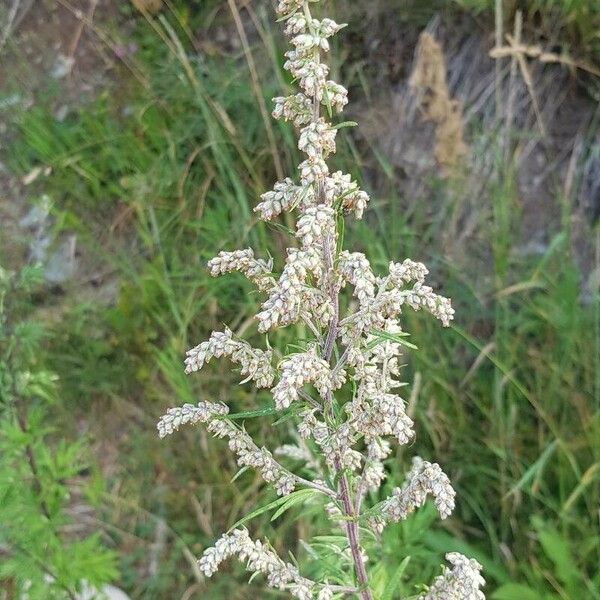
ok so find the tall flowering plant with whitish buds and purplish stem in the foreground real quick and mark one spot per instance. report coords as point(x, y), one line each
point(354, 346)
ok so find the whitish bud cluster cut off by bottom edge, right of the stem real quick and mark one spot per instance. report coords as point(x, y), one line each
point(460, 582)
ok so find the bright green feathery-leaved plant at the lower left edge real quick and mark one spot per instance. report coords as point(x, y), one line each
point(36, 465)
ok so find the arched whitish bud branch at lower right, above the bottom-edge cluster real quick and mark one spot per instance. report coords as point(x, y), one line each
point(423, 479)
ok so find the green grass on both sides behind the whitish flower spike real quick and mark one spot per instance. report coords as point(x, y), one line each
point(507, 399)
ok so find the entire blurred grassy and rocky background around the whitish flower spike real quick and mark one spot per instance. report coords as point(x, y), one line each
point(136, 140)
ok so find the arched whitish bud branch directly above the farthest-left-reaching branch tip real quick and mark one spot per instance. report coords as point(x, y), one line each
point(255, 363)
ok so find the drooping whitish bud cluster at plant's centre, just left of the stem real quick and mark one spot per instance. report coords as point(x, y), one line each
point(297, 371)
